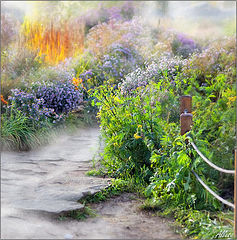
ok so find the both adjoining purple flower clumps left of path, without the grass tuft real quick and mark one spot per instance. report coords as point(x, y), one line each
point(50, 101)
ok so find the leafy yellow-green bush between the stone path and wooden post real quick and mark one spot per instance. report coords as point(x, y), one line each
point(130, 125)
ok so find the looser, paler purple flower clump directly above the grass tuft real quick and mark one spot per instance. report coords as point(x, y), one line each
point(32, 107)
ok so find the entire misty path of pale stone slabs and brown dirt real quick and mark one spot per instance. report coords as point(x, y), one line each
point(37, 186)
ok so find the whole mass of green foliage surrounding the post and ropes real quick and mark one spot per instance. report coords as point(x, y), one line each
point(142, 139)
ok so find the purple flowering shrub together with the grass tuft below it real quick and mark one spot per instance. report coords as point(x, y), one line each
point(33, 111)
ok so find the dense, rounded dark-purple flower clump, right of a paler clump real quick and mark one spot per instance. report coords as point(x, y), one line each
point(62, 97)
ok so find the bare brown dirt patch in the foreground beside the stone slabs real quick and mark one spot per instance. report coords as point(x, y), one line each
point(120, 218)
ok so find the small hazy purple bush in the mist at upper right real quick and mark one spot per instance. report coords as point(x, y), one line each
point(184, 46)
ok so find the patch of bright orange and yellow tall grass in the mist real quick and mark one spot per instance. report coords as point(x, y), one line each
point(55, 42)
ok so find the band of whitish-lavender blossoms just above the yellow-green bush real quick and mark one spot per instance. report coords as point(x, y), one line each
point(165, 66)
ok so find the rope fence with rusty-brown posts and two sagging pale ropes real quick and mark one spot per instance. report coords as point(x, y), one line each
point(186, 122)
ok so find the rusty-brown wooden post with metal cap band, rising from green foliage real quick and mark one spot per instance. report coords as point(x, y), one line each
point(185, 114)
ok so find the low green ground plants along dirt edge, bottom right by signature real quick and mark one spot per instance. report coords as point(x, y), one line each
point(194, 224)
